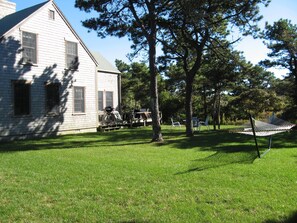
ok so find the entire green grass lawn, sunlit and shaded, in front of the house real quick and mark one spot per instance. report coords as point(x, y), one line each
point(120, 177)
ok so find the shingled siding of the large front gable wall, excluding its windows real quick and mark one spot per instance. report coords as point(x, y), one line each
point(50, 67)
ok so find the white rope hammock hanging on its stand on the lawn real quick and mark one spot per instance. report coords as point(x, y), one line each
point(260, 128)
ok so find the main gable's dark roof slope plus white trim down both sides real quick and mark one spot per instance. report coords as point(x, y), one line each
point(10, 21)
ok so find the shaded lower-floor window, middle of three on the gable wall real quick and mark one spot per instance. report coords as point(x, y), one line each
point(52, 93)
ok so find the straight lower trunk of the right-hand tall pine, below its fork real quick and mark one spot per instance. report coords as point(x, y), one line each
point(189, 105)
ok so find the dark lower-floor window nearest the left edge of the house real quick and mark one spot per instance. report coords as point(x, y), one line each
point(21, 97)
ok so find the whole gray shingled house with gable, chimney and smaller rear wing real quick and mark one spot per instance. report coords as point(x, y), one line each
point(49, 80)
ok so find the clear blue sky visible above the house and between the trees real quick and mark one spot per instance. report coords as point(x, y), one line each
point(113, 48)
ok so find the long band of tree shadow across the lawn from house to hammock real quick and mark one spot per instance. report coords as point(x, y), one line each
point(220, 142)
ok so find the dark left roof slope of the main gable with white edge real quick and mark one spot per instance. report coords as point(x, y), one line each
point(10, 21)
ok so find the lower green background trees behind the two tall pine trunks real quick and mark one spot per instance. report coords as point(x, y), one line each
point(227, 88)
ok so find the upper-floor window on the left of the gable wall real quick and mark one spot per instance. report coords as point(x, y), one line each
point(29, 47)
